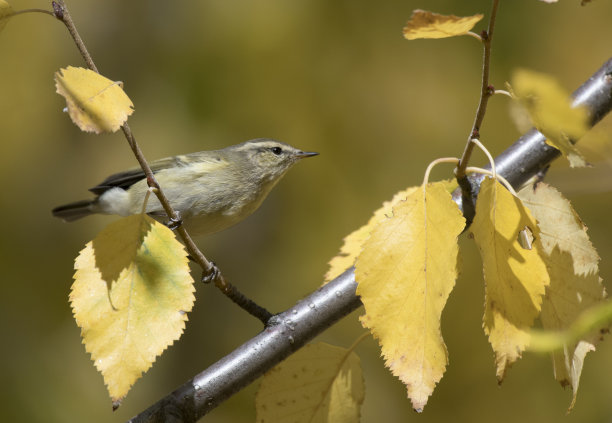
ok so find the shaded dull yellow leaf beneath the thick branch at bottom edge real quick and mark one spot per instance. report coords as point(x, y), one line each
point(319, 383)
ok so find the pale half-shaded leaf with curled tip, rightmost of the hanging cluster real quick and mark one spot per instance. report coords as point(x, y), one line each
point(575, 285)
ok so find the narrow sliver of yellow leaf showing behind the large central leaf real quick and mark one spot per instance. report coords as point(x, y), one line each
point(354, 241)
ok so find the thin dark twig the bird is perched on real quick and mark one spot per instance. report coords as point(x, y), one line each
point(60, 11)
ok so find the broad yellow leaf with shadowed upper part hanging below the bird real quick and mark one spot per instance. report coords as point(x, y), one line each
point(126, 323)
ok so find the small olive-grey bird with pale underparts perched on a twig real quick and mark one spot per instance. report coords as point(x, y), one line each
point(212, 190)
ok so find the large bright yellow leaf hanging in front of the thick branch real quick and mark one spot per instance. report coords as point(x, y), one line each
point(404, 275)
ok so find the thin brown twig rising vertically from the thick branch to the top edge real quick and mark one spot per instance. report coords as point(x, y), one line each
point(485, 92)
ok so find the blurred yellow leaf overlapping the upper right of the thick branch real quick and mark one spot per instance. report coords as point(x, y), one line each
point(551, 111)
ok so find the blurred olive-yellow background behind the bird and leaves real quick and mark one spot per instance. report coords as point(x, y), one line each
point(330, 76)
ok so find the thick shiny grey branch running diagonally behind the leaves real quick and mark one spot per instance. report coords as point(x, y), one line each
point(311, 316)
